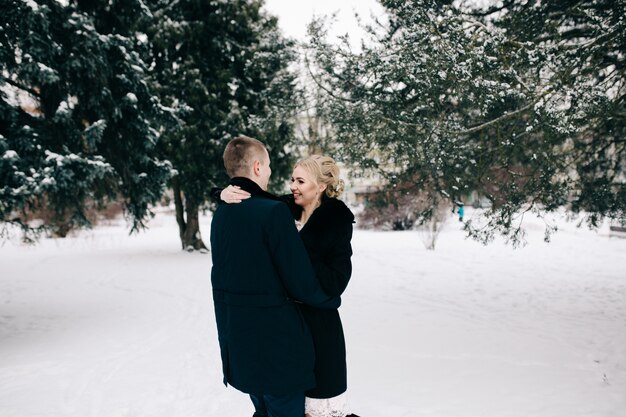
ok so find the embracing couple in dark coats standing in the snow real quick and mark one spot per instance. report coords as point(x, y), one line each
point(280, 265)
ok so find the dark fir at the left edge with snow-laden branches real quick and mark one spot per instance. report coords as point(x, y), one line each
point(76, 116)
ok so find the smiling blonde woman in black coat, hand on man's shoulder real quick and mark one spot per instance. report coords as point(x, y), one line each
point(325, 225)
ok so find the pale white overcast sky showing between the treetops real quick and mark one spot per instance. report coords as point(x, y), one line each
point(294, 15)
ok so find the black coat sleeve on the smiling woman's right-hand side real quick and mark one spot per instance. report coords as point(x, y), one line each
point(335, 268)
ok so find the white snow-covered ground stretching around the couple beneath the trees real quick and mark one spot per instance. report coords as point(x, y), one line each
point(111, 325)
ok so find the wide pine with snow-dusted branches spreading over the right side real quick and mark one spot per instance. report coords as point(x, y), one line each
point(522, 103)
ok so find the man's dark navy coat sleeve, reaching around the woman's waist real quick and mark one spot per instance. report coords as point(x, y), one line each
point(292, 261)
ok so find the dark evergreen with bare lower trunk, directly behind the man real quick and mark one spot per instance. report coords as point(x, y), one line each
point(224, 66)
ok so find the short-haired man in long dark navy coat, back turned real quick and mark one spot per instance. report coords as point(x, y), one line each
point(260, 267)
